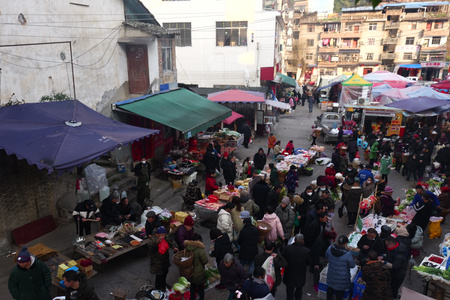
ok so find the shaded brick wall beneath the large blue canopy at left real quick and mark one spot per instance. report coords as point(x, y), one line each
point(27, 193)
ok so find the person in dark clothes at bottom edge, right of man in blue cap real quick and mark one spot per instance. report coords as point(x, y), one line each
point(77, 287)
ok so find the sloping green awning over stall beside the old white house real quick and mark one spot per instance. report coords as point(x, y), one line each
point(180, 109)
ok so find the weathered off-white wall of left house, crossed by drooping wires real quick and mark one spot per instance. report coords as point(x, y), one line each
point(100, 65)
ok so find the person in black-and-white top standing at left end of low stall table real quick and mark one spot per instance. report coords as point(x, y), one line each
point(84, 213)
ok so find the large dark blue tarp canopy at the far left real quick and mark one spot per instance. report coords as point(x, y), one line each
point(61, 135)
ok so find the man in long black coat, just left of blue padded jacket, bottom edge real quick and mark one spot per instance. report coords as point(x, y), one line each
point(297, 257)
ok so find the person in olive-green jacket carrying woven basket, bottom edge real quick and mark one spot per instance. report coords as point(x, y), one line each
point(198, 278)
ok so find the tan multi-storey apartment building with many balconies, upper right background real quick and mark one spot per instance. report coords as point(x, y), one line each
point(408, 38)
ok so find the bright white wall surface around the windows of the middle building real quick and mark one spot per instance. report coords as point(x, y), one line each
point(207, 65)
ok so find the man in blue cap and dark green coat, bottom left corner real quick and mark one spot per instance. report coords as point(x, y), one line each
point(30, 278)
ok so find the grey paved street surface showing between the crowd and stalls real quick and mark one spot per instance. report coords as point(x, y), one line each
point(132, 270)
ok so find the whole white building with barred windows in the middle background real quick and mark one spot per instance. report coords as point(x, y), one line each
point(229, 43)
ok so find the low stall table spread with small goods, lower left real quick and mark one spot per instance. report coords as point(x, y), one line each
point(122, 242)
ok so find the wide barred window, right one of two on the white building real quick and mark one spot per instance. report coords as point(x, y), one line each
point(231, 33)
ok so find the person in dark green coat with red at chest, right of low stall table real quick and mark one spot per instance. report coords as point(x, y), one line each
point(159, 245)
